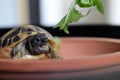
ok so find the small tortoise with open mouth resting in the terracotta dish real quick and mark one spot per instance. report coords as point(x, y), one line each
point(28, 42)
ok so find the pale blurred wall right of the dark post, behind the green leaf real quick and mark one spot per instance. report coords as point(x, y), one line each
point(111, 16)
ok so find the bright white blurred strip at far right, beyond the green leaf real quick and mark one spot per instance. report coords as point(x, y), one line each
point(112, 12)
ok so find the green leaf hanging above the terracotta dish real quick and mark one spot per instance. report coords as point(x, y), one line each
point(74, 15)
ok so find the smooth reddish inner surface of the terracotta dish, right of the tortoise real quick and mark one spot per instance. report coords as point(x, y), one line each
point(84, 47)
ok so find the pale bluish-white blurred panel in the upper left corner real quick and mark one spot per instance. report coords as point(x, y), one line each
point(8, 12)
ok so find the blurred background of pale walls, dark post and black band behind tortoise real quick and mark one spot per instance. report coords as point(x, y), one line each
point(47, 13)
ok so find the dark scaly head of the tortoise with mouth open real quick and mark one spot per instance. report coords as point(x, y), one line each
point(38, 44)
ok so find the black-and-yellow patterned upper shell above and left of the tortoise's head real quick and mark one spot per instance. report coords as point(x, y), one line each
point(16, 35)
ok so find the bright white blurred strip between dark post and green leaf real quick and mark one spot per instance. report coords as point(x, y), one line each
point(51, 12)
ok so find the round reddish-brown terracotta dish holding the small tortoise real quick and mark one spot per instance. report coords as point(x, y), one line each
point(84, 58)
